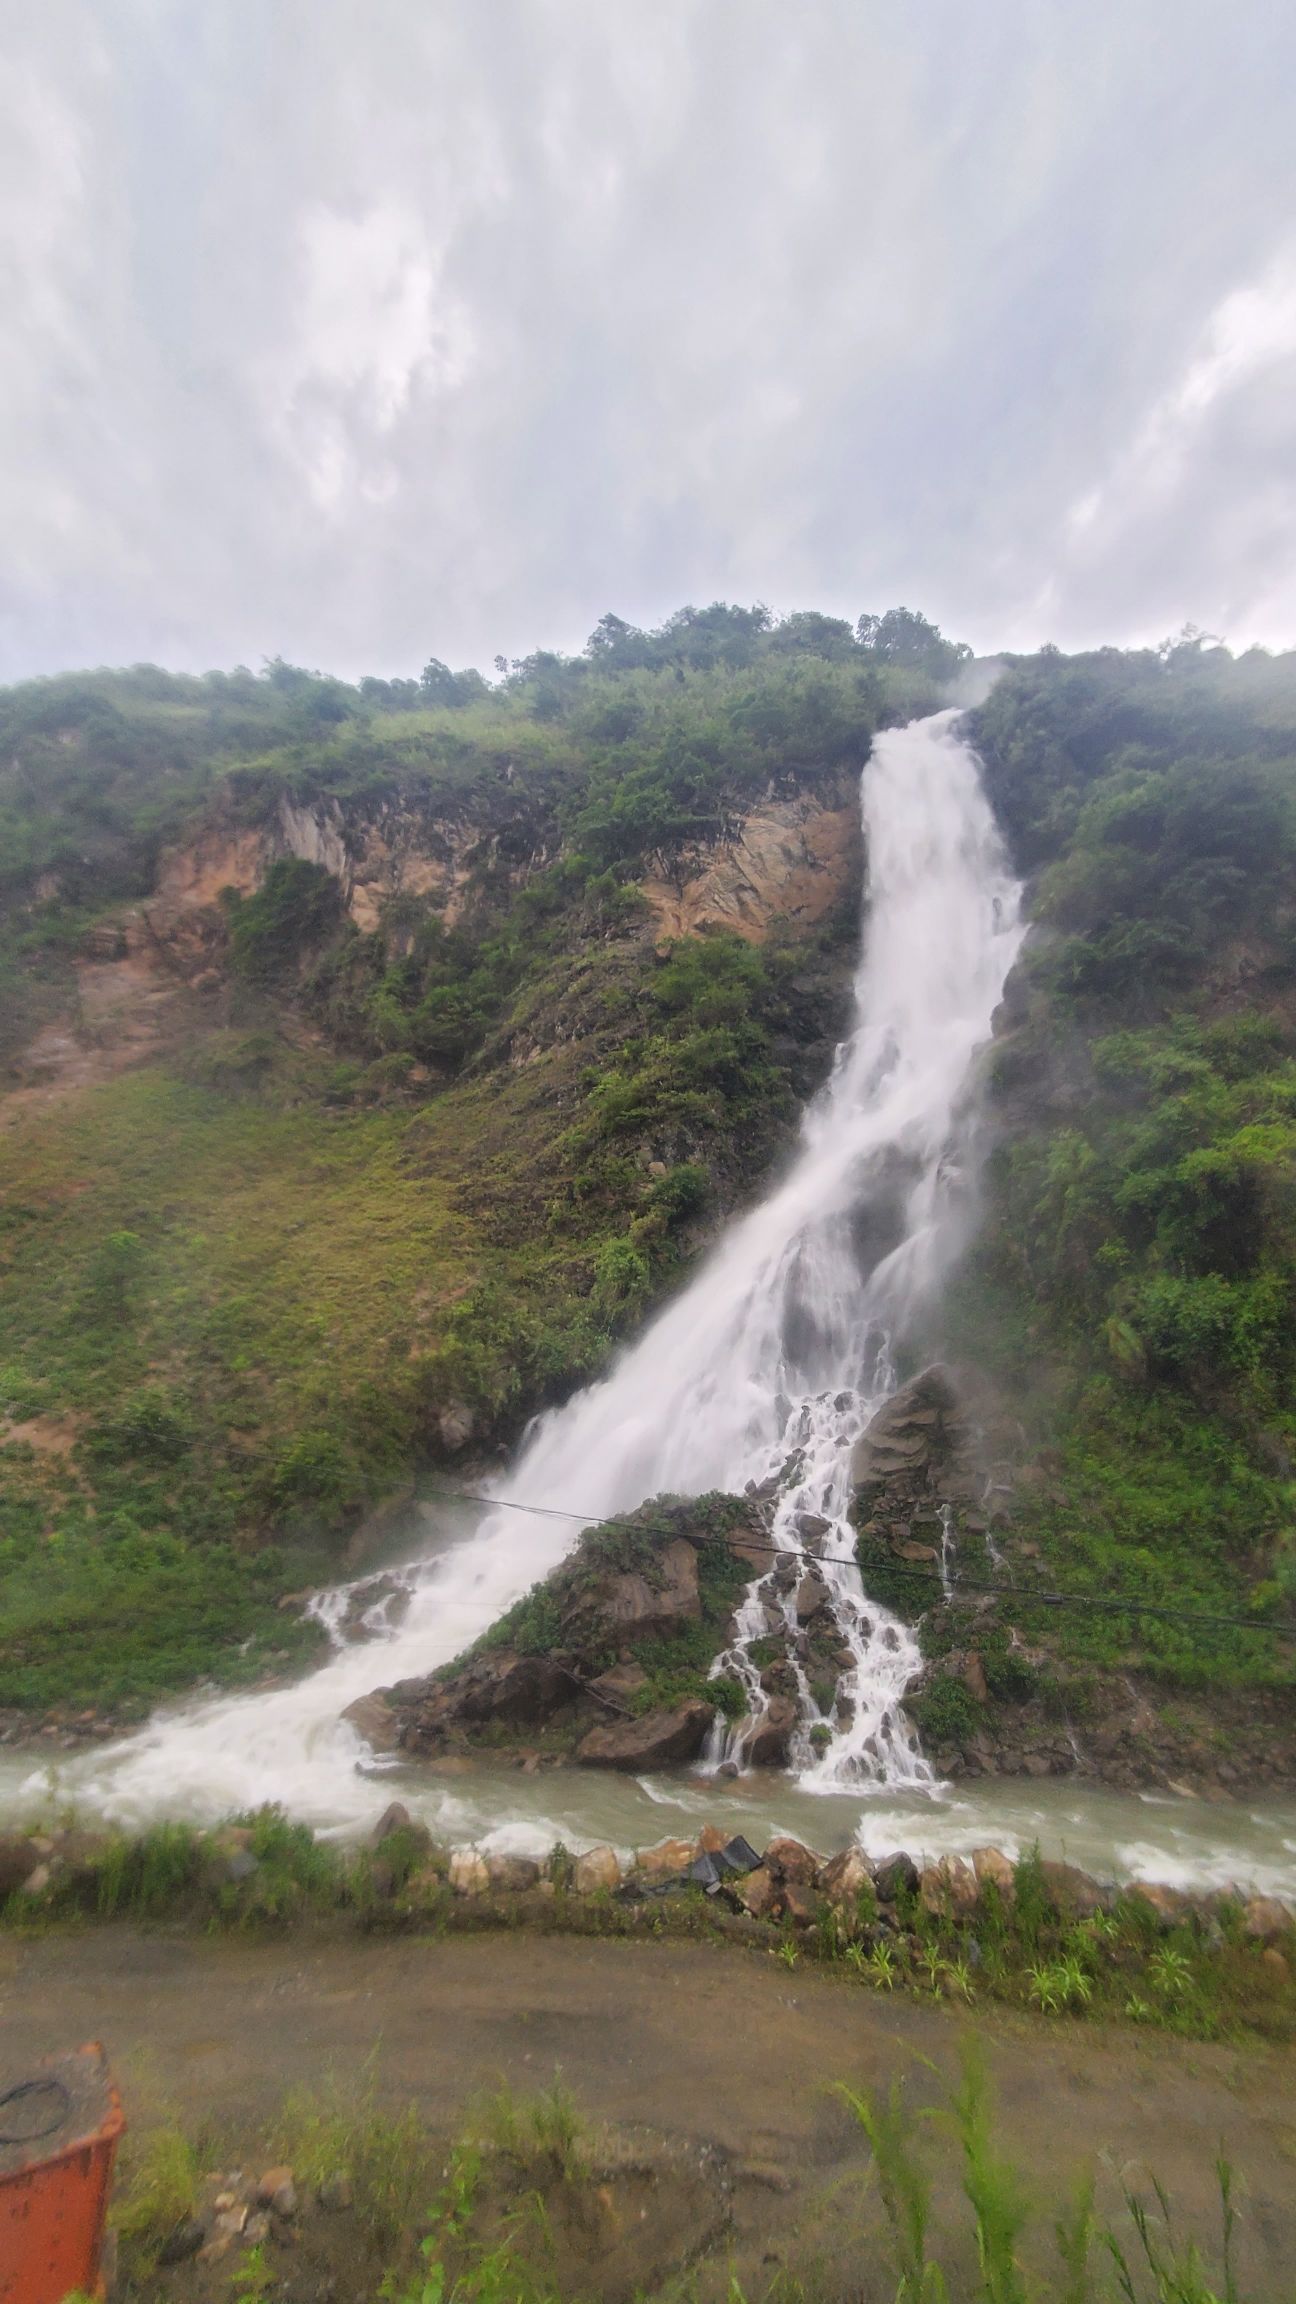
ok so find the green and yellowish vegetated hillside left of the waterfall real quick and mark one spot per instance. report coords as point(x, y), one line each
point(379, 1178)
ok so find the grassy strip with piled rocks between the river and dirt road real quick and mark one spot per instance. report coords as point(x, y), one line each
point(1027, 1932)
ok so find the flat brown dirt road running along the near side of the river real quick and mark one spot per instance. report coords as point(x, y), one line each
point(704, 2045)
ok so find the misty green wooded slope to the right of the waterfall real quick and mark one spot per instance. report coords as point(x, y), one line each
point(1136, 1282)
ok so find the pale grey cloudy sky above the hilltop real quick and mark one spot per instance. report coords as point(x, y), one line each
point(368, 331)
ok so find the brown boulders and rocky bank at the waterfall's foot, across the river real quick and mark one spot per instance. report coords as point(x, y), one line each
point(610, 1662)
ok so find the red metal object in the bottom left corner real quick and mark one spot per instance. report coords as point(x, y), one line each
point(59, 2137)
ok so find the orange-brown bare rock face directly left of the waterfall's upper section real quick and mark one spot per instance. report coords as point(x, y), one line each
point(788, 861)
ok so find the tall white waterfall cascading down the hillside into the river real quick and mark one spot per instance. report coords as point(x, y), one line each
point(764, 1370)
